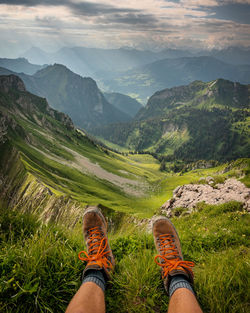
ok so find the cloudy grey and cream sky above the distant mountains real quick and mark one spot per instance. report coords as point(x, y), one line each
point(140, 24)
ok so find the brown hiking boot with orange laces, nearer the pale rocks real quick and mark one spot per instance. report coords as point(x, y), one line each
point(170, 257)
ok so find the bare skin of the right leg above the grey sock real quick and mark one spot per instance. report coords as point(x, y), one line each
point(183, 301)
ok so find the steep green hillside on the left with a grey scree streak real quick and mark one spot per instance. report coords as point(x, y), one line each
point(41, 147)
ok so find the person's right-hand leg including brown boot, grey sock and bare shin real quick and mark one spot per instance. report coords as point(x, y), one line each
point(176, 273)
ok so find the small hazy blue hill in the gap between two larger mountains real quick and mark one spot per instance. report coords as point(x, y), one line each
point(123, 103)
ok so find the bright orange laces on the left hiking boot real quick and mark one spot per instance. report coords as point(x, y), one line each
point(96, 250)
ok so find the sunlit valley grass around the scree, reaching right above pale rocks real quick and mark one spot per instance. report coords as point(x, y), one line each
point(88, 189)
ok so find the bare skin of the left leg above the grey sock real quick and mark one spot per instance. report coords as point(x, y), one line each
point(88, 299)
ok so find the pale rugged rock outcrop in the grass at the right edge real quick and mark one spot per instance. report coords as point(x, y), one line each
point(187, 196)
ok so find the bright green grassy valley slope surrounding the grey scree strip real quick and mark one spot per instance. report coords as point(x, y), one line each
point(88, 189)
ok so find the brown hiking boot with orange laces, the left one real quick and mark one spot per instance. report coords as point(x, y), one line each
point(99, 255)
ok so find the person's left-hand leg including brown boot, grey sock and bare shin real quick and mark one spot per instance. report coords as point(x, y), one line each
point(90, 297)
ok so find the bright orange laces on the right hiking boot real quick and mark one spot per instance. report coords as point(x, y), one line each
point(168, 249)
